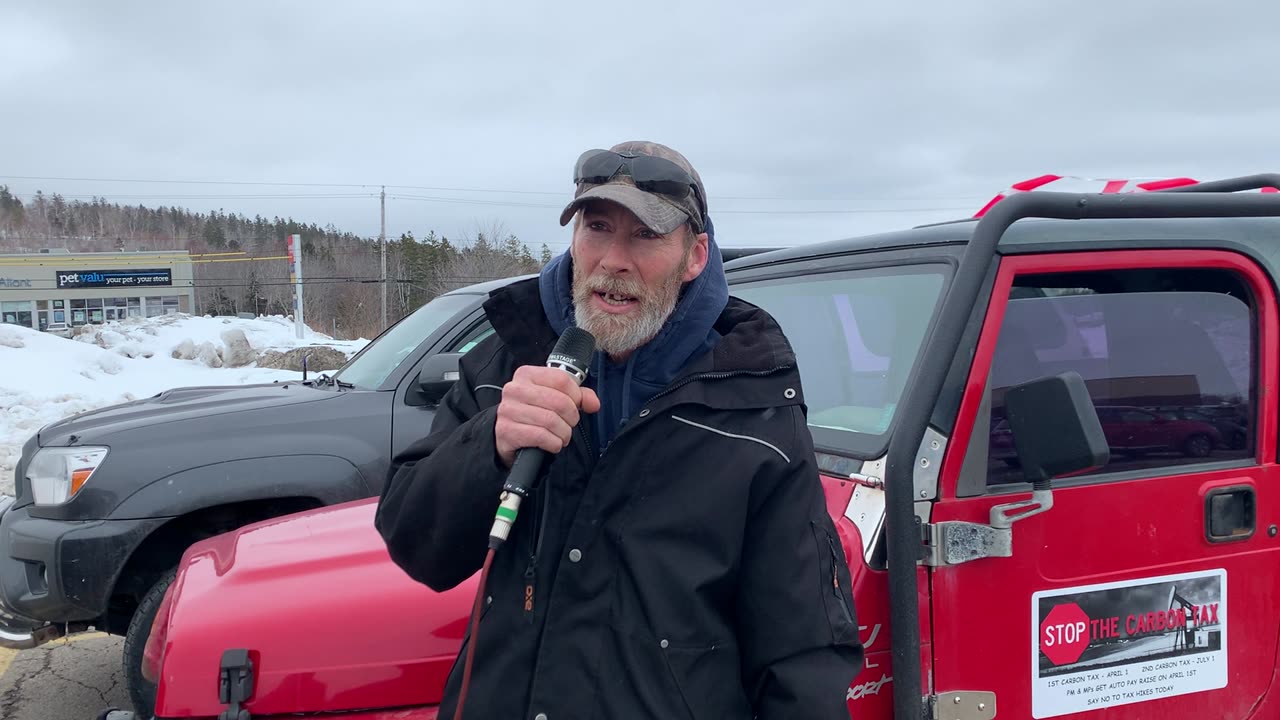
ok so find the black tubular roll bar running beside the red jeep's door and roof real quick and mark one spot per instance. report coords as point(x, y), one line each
point(903, 532)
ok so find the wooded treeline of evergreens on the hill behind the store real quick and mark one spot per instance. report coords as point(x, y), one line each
point(342, 270)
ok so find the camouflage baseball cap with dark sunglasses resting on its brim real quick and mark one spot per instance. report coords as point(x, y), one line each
point(664, 194)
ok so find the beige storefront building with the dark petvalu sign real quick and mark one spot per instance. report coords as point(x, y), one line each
point(51, 290)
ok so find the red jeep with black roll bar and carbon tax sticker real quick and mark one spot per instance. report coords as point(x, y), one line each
point(1005, 560)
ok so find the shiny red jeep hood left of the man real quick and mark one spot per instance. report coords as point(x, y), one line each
point(360, 635)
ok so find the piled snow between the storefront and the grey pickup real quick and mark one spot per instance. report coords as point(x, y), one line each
point(45, 379)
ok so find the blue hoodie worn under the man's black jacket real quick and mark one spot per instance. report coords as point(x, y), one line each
point(688, 334)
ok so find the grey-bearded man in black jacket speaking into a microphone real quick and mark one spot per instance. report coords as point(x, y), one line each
point(676, 558)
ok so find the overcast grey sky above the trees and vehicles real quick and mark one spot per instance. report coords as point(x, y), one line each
point(807, 121)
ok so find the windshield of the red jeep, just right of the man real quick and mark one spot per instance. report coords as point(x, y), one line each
point(857, 336)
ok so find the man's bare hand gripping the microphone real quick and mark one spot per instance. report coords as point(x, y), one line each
point(540, 409)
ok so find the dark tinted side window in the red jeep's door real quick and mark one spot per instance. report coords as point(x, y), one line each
point(1169, 358)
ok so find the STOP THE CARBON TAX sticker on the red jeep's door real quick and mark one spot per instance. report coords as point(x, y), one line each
point(1135, 641)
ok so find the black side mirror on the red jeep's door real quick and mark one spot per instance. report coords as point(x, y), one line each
point(1057, 432)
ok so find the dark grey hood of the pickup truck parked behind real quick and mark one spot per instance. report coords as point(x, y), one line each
point(177, 405)
